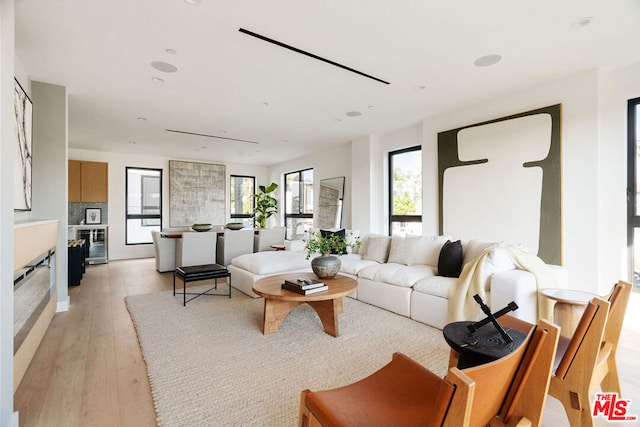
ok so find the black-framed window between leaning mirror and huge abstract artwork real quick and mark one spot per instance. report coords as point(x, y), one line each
point(405, 191)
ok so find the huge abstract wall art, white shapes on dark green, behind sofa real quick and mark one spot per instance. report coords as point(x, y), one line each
point(500, 180)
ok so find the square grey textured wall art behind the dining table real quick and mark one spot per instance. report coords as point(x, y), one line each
point(196, 193)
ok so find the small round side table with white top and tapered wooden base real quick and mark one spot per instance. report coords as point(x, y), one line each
point(568, 308)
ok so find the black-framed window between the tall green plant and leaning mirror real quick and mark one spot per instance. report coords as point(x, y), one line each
point(298, 202)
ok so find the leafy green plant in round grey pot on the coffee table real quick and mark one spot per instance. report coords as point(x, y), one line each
point(328, 244)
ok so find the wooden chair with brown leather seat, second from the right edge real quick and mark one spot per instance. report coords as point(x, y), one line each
point(580, 362)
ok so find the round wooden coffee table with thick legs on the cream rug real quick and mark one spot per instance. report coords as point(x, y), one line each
point(279, 302)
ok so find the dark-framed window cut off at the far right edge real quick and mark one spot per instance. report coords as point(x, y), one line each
point(633, 186)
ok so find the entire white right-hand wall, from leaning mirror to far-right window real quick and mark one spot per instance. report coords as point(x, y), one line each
point(593, 133)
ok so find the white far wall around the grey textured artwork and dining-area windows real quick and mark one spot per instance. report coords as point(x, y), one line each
point(117, 178)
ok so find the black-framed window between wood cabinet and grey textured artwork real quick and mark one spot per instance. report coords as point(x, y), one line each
point(143, 204)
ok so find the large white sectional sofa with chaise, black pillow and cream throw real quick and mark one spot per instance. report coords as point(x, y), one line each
point(401, 274)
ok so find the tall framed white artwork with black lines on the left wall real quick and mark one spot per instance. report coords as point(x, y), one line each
point(24, 149)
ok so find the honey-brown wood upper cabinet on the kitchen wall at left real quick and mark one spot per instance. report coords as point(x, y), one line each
point(88, 181)
